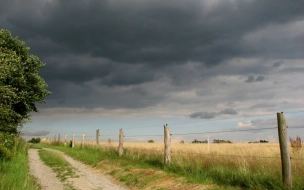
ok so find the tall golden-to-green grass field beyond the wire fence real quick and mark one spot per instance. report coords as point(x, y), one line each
point(252, 166)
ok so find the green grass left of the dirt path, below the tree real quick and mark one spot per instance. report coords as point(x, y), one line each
point(14, 173)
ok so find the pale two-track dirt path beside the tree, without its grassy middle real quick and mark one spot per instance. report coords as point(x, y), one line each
point(89, 179)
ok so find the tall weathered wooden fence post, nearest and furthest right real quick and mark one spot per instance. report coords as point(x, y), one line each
point(284, 148)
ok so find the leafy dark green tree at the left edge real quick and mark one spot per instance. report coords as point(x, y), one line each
point(20, 84)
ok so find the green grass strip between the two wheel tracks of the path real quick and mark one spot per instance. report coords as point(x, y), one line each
point(59, 165)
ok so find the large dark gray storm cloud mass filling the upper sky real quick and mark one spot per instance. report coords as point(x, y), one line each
point(111, 54)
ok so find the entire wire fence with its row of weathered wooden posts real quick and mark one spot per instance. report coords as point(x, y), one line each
point(282, 132)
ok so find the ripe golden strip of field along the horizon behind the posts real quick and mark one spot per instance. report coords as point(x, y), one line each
point(257, 150)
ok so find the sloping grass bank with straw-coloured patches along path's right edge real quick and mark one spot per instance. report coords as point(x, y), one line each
point(136, 175)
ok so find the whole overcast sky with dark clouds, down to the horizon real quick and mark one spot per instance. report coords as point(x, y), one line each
point(144, 63)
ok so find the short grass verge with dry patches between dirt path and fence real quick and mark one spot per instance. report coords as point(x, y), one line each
point(139, 171)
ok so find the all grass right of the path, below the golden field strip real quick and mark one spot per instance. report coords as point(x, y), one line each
point(144, 169)
